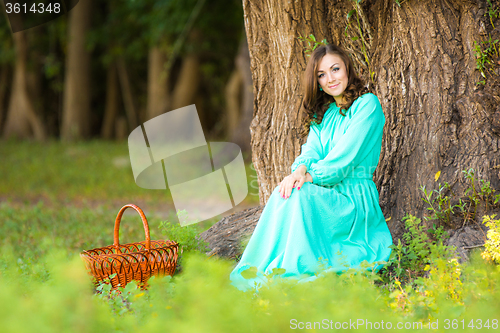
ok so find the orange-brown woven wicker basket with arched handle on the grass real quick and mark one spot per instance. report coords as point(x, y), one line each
point(134, 261)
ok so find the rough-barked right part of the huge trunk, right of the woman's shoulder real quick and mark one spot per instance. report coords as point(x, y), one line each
point(438, 119)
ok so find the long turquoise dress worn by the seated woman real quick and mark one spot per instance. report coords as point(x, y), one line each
point(335, 222)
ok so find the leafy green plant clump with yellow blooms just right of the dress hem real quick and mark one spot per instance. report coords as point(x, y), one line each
point(425, 270)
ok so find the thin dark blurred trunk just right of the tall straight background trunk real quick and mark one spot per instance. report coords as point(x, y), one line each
point(112, 103)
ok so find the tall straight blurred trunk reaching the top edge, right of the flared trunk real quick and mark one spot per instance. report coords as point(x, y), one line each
point(77, 96)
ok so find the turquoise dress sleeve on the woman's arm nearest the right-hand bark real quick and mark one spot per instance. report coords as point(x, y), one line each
point(362, 134)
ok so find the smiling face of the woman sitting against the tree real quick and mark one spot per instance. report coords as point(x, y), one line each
point(332, 76)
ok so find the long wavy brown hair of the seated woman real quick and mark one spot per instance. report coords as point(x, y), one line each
point(316, 102)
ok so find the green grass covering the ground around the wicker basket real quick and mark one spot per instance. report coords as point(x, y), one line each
point(46, 220)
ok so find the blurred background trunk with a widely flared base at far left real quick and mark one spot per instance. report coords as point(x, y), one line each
point(22, 121)
